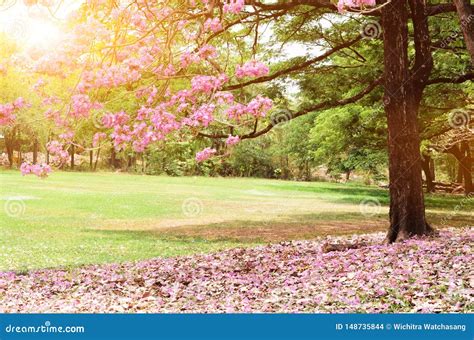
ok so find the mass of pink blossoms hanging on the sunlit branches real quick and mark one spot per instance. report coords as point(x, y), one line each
point(144, 55)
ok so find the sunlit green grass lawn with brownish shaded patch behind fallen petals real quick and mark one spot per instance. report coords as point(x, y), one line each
point(71, 219)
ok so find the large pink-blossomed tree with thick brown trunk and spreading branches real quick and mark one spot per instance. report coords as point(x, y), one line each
point(149, 71)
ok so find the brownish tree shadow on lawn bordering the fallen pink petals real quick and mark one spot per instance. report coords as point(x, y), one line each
point(295, 227)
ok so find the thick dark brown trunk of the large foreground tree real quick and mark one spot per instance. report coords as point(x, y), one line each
point(401, 97)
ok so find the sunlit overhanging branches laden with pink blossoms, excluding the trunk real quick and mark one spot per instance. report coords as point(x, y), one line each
point(167, 58)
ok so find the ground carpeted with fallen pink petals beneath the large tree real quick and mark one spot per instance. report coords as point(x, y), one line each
point(420, 275)
